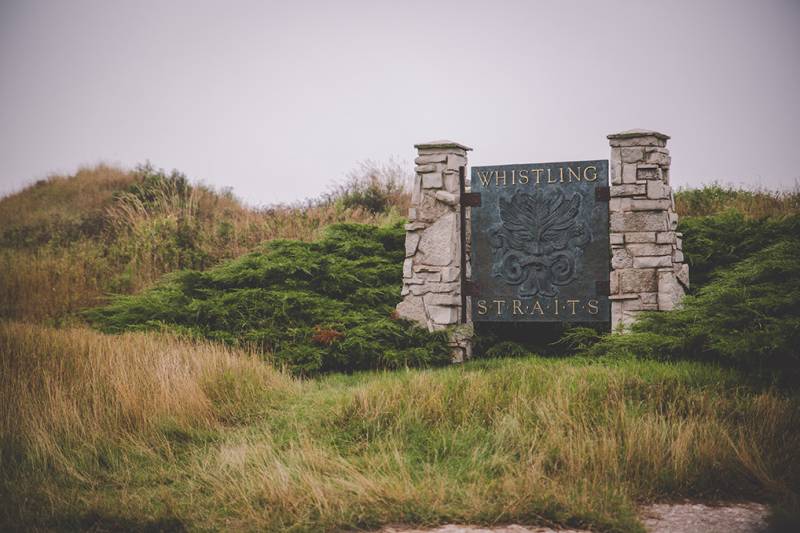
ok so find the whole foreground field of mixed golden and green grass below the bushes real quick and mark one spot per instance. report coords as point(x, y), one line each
point(150, 431)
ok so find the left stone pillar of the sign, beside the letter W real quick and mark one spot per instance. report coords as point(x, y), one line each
point(432, 268)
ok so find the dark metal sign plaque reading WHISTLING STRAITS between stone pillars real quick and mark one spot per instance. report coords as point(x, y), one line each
point(540, 250)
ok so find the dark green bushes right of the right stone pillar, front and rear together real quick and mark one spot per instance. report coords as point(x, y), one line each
point(745, 311)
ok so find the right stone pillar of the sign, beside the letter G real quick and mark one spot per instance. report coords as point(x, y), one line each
point(648, 270)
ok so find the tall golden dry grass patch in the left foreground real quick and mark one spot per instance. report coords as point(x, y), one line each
point(66, 394)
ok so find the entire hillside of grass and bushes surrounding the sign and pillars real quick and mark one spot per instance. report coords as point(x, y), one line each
point(159, 426)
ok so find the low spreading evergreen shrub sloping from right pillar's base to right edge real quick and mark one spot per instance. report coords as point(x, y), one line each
point(747, 316)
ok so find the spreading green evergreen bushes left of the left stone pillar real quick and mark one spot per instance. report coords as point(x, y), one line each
point(320, 306)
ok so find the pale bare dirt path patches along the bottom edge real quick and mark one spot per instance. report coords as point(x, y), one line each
point(658, 518)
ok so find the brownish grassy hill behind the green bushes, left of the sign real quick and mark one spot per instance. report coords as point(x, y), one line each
point(67, 241)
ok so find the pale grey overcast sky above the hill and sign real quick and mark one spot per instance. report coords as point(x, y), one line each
point(279, 99)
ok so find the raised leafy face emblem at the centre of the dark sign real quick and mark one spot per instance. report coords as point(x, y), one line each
point(538, 241)
